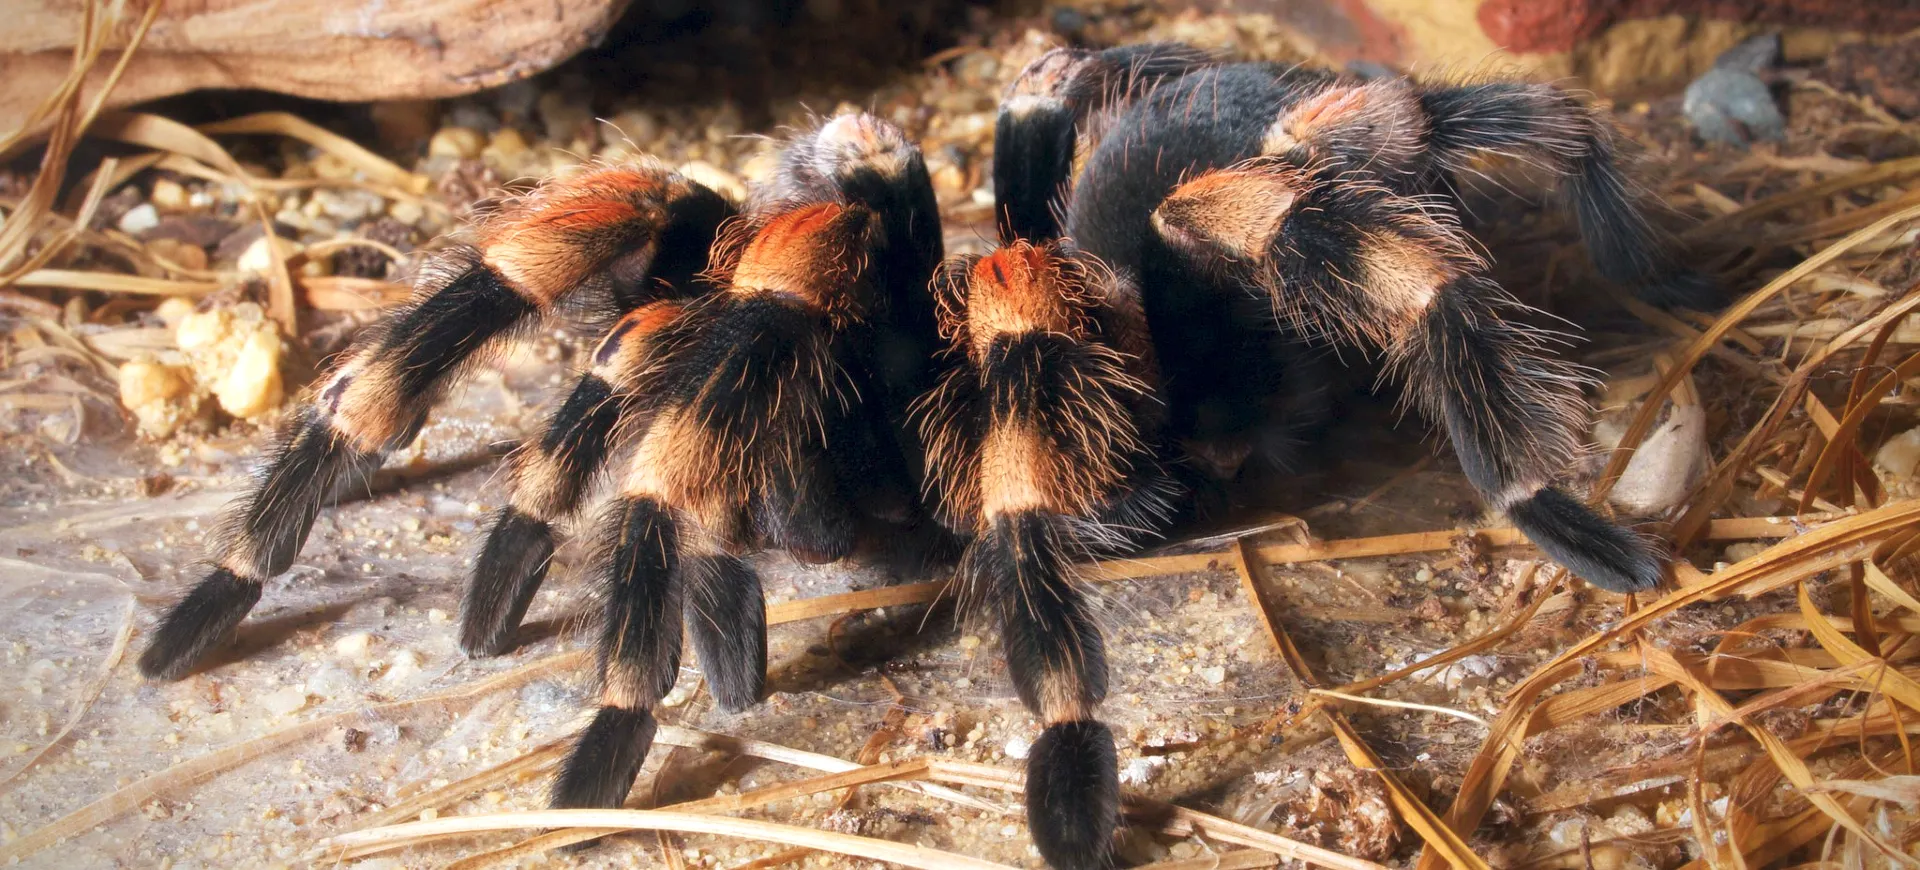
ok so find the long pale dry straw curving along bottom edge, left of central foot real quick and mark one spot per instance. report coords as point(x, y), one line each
point(372, 842)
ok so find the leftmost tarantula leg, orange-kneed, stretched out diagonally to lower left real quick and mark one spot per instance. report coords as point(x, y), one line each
point(602, 228)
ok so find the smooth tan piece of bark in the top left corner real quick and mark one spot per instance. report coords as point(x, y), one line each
point(320, 49)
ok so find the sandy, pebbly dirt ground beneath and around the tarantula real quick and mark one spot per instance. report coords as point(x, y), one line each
point(347, 694)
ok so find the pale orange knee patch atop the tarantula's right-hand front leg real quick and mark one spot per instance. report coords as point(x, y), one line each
point(1234, 212)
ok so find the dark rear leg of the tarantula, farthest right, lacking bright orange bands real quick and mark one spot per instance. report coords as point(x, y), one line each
point(1547, 126)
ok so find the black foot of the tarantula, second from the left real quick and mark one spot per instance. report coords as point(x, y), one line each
point(510, 571)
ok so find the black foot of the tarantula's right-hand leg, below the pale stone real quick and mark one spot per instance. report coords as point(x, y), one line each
point(1604, 554)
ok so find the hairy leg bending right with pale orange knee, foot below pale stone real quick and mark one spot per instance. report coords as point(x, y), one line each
point(1360, 266)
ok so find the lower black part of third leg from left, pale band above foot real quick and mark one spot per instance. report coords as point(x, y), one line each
point(638, 654)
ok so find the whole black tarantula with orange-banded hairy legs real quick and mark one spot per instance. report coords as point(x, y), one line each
point(786, 370)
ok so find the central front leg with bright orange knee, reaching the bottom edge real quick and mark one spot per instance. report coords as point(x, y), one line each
point(1036, 443)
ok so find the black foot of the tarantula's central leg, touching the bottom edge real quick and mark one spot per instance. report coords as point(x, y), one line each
point(1074, 796)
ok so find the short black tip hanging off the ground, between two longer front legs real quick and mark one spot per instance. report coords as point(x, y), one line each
point(727, 617)
